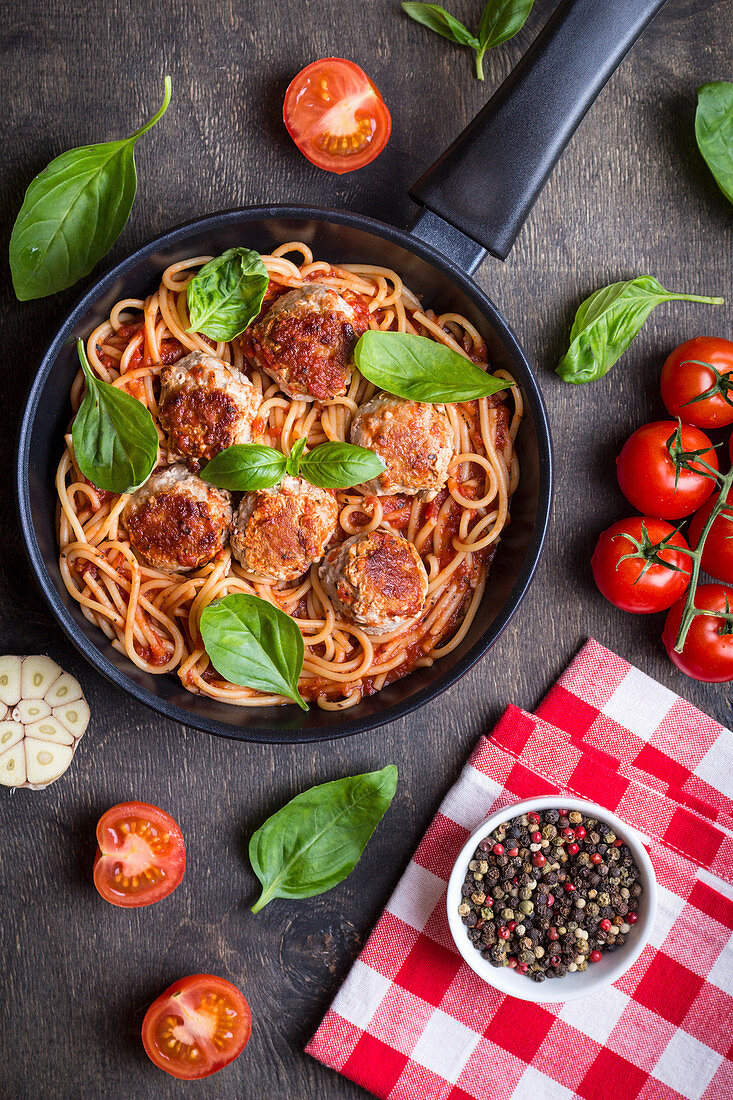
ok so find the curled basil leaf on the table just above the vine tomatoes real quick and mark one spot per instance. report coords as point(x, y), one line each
point(608, 322)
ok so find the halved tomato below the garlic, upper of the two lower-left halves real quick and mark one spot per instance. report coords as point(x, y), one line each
point(141, 856)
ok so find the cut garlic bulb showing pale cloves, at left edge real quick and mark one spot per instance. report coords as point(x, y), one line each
point(43, 714)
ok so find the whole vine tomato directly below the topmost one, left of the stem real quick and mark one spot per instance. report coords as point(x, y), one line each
point(647, 471)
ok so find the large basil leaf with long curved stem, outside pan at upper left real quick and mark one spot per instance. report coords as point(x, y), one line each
point(73, 213)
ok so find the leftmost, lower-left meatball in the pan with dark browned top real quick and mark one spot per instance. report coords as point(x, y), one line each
point(176, 522)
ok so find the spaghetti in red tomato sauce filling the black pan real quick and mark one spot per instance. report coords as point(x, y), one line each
point(154, 617)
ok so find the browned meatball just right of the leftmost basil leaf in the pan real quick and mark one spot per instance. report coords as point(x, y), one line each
point(206, 406)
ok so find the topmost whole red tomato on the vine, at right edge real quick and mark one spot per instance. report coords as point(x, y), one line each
point(704, 366)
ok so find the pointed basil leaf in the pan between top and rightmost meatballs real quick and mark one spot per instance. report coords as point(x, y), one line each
point(421, 369)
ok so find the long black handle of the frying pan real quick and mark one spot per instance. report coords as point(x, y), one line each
point(487, 183)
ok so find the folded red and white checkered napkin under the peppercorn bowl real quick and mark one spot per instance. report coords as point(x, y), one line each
point(413, 1022)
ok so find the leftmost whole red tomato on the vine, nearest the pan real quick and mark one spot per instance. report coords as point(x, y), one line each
point(641, 585)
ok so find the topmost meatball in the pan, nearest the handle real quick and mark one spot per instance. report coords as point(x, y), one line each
point(307, 342)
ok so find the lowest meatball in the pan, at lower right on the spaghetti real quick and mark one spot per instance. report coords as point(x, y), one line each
point(377, 581)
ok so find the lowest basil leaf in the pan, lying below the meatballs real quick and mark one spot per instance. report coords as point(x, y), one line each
point(254, 644)
